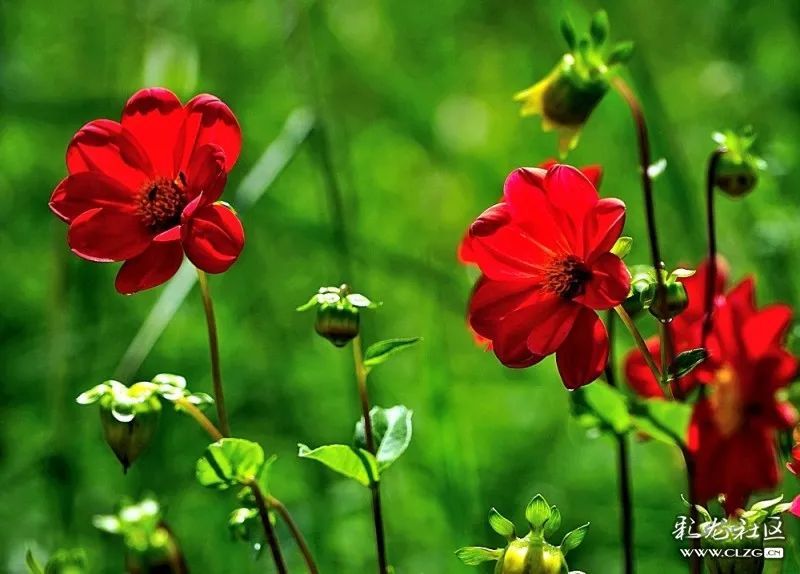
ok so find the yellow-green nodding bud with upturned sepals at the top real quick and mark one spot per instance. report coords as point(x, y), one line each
point(568, 95)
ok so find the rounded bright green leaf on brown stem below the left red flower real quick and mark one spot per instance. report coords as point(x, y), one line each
point(228, 462)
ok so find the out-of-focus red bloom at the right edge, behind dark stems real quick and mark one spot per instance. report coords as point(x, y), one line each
point(732, 431)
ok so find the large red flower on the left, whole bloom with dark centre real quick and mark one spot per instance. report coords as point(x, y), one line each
point(145, 190)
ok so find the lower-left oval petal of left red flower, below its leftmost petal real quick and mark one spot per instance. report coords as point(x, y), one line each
point(107, 235)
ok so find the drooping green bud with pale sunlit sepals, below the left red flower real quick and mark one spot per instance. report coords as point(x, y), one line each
point(129, 416)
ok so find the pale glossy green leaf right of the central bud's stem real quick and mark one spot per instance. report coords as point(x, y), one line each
point(391, 429)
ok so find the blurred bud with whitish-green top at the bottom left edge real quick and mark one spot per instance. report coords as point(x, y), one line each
point(151, 546)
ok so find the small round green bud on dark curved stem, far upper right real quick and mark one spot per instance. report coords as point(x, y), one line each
point(737, 170)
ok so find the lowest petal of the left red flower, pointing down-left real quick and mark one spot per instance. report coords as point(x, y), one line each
point(155, 265)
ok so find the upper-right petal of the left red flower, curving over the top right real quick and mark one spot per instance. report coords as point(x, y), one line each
point(208, 120)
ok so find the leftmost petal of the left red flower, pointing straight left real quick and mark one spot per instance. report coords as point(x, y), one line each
point(90, 189)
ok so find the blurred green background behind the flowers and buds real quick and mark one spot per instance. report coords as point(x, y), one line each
point(412, 131)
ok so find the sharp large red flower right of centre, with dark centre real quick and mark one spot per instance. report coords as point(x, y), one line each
point(544, 253)
